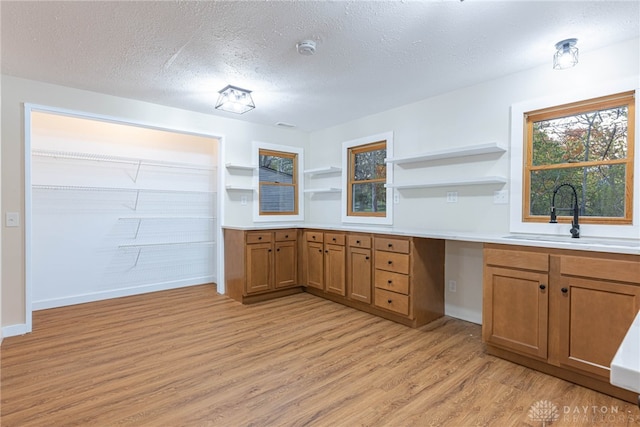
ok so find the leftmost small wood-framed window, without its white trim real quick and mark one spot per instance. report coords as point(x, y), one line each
point(278, 173)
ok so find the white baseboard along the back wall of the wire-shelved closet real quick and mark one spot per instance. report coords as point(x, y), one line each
point(117, 293)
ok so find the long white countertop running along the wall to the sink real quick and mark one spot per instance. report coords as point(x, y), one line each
point(592, 244)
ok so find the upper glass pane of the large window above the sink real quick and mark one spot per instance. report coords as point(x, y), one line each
point(590, 136)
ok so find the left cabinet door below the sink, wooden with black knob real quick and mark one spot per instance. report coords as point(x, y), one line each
point(515, 310)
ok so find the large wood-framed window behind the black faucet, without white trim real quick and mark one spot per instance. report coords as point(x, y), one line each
point(589, 144)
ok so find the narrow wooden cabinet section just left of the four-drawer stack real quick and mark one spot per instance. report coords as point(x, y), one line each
point(359, 268)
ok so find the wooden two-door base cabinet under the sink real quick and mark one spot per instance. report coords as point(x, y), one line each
point(559, 311)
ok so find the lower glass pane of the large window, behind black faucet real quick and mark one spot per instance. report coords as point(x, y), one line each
point(603, 188)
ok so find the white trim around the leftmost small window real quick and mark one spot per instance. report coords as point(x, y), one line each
point(298, 154)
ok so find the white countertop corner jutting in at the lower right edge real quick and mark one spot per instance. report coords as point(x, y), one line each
point(625, 367)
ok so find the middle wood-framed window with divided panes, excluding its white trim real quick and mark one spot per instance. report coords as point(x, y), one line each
point(367, 194)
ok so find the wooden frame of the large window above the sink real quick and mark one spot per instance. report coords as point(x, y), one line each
point(572, 109)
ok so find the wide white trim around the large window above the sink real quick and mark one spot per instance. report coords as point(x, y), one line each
point(516, 155)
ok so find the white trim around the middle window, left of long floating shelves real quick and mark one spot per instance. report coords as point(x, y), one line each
point(360, 144)
